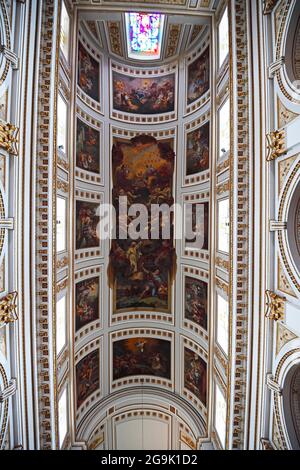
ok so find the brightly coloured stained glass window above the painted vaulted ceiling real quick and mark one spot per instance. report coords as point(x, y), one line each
point(144, 35)
